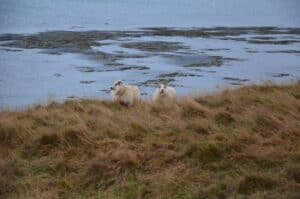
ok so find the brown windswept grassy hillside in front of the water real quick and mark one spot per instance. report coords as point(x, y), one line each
point(238, 144)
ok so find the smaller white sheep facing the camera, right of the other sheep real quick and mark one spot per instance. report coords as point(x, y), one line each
point(164, 93)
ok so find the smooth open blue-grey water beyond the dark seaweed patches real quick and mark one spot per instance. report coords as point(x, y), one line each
point(42, 15)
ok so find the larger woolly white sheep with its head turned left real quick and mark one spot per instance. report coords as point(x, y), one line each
point(125, 94)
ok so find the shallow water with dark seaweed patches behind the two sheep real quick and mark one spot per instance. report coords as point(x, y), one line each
point(63, 64)
